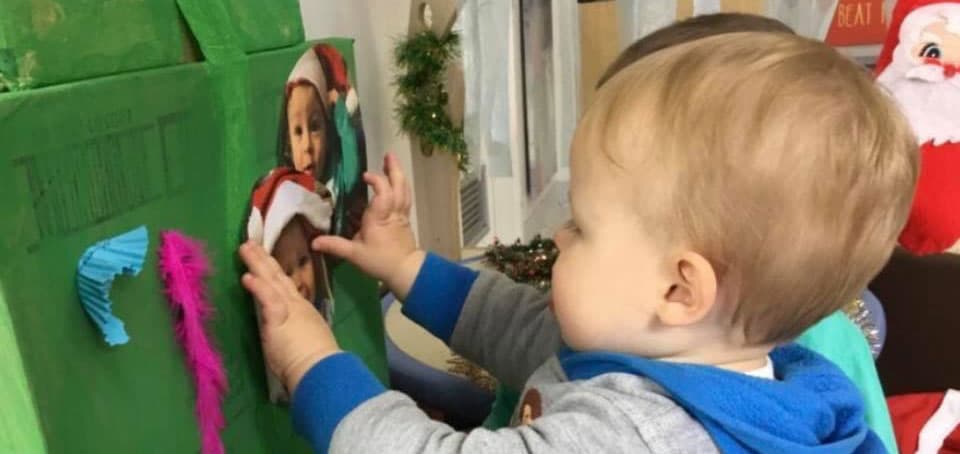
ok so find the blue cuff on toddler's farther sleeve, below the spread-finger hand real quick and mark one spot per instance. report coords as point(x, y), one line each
point(438, 295)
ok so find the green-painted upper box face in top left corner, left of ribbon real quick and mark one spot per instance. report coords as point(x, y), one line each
point(44, 42)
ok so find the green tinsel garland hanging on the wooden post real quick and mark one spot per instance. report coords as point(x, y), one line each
point(421, 61)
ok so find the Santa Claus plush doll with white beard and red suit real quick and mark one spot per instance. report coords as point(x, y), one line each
point(920, 65)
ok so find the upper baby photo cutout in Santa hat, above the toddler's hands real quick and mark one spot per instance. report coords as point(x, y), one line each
point(321, 132)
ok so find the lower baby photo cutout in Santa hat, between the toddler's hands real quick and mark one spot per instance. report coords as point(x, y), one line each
point(287, 212)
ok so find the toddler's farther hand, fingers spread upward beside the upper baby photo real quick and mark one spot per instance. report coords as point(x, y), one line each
point(384, 247)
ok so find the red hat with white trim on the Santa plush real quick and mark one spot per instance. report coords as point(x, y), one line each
point(907, 22)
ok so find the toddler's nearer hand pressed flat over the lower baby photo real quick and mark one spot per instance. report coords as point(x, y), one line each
point(294, 335)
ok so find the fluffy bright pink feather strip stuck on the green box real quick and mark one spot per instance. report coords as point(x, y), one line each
point(183, 267)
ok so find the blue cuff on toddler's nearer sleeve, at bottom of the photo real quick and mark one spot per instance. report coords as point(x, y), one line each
point(329, 391)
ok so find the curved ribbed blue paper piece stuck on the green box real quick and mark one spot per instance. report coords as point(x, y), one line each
point(99, 265)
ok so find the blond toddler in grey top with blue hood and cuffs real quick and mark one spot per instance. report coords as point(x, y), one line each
point(726, 193)
